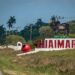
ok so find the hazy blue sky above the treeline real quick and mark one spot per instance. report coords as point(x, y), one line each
point(28, 11)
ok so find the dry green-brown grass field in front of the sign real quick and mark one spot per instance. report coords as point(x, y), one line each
point(42, 63)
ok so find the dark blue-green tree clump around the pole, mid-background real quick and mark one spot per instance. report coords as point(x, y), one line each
point(32, 30)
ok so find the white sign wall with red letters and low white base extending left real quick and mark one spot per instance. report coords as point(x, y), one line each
point(51, 44)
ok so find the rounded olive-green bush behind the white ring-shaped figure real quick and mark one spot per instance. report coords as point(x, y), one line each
point(13, 39)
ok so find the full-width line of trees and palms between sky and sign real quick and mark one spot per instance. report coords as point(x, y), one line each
point(38, 30)
